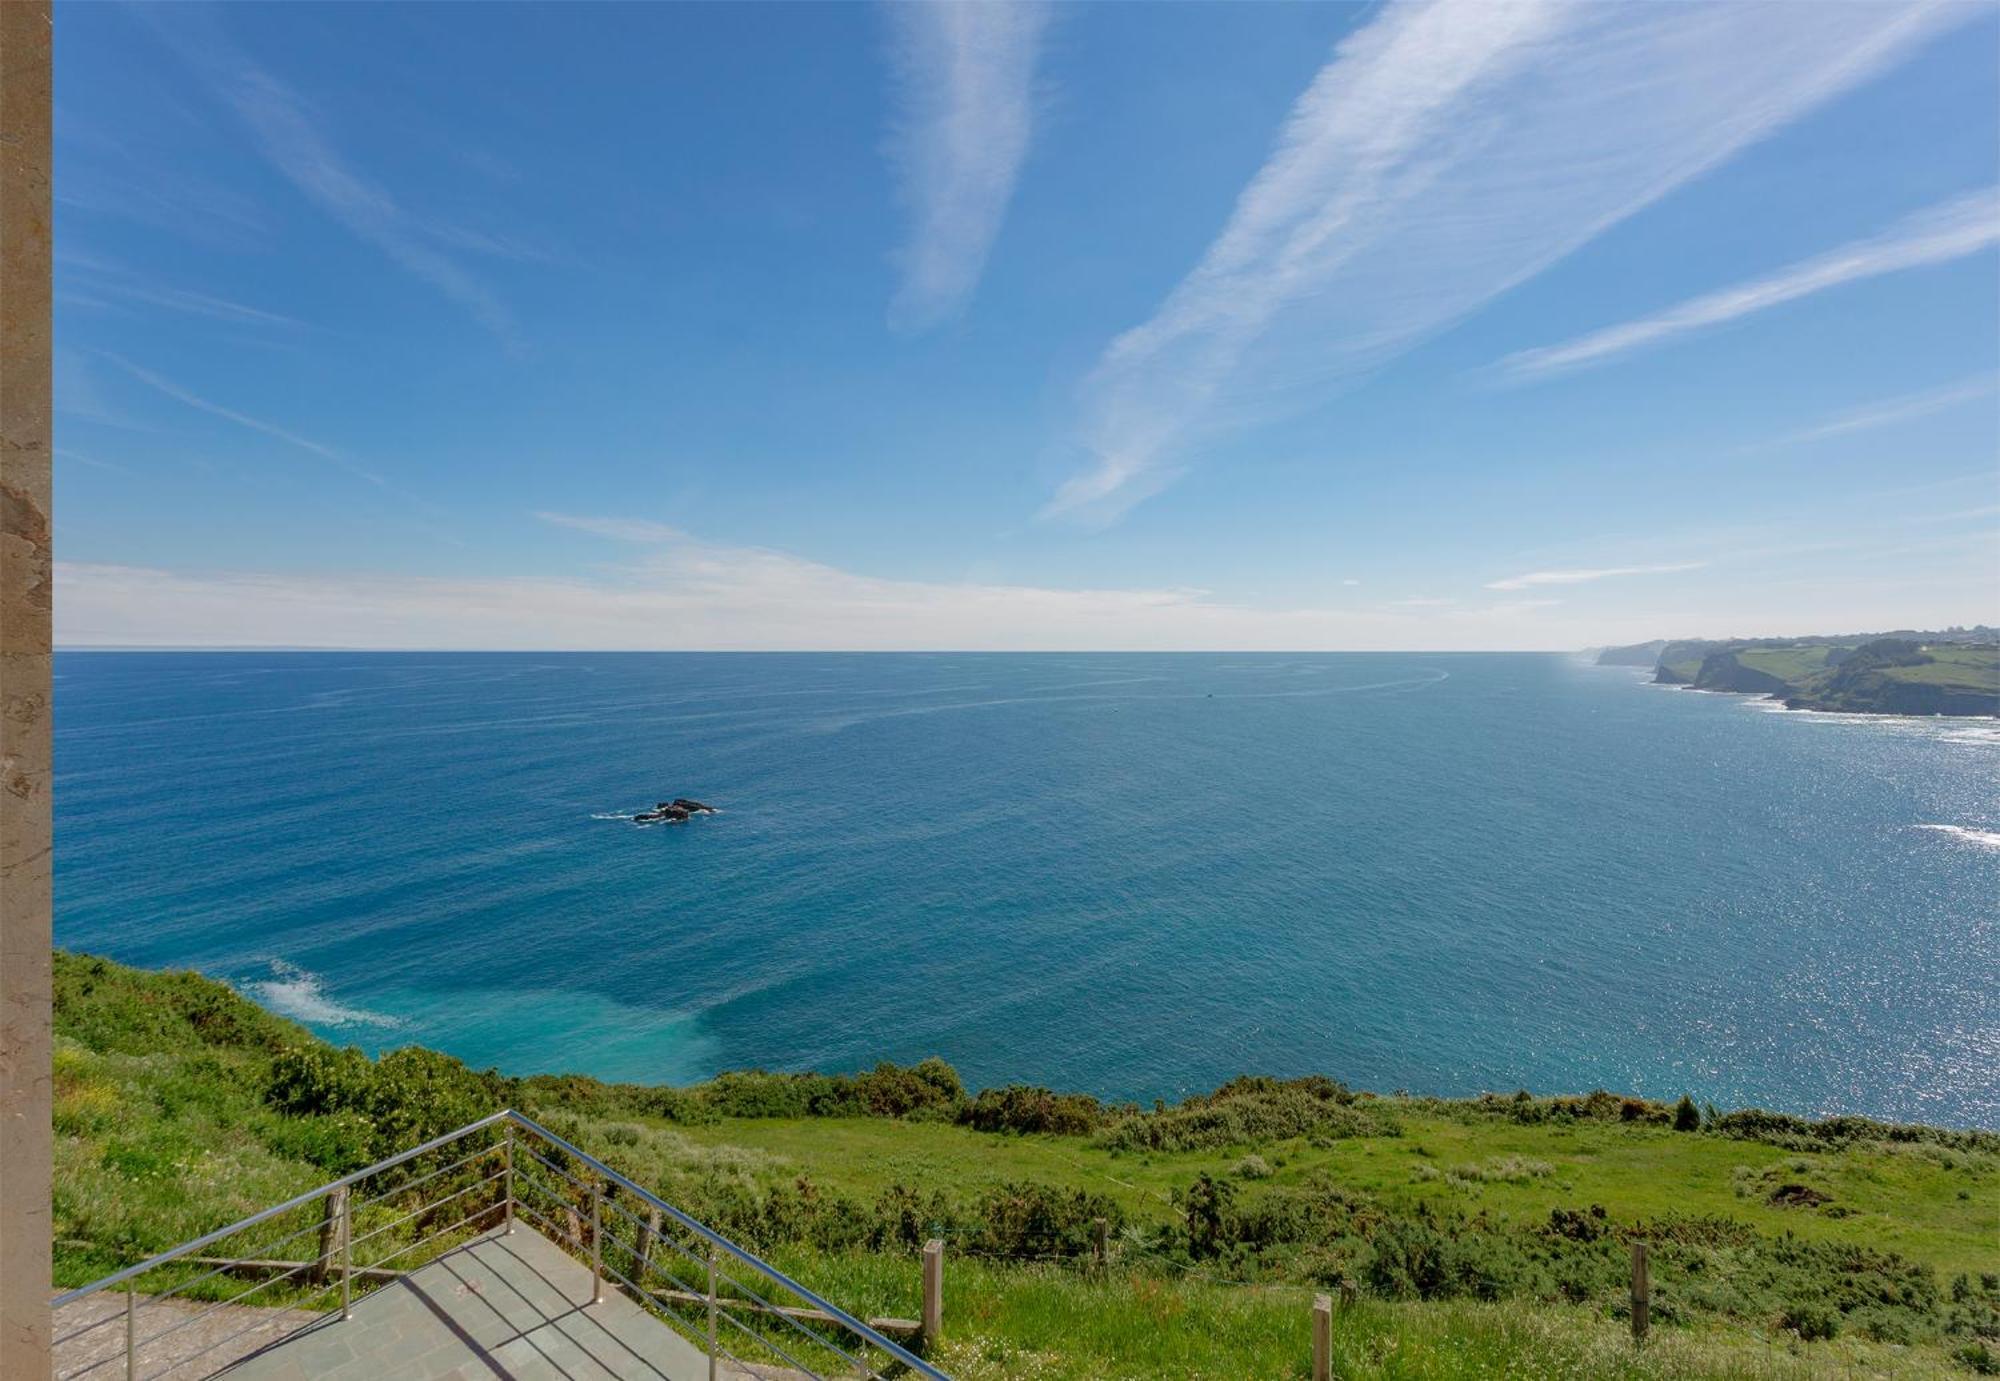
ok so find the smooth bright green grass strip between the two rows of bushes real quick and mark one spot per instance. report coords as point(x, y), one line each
point(1933, 1206)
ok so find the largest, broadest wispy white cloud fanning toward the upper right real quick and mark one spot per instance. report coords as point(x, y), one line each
point(1433, 165)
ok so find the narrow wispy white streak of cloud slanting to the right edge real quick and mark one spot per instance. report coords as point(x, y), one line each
point(1937, 235)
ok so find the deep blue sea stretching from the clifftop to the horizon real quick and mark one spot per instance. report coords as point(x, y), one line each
point(1125, 874)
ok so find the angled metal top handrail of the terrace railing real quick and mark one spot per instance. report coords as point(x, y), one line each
point(835, 1314)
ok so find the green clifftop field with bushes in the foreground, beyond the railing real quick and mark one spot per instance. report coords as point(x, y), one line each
point(1481, 1236)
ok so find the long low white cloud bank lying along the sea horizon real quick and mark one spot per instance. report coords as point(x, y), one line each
point(687, 593)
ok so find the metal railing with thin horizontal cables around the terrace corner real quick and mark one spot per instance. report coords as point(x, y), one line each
point(439, 1198)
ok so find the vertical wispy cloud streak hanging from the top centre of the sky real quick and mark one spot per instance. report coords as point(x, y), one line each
point(967, 89)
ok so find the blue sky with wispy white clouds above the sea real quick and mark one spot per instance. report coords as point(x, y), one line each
point(1413, 325)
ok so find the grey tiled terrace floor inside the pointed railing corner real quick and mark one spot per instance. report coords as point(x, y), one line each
point(495, 1308)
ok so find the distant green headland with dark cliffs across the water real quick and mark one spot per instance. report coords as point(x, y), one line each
point(1895, 673)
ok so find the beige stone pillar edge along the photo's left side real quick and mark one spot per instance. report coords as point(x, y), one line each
point(25, 689)
